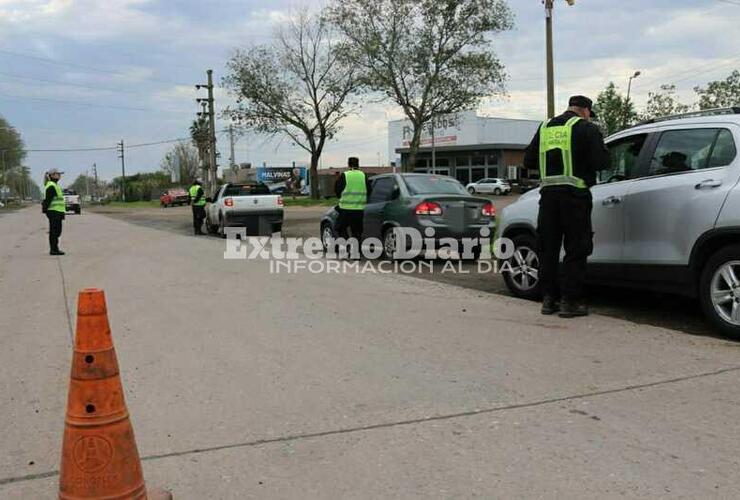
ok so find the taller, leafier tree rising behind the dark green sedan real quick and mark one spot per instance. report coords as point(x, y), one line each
point(431, 57)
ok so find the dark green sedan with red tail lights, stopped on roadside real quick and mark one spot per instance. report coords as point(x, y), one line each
point(417, 201)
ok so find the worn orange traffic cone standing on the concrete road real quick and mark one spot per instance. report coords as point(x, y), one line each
point(99, 455)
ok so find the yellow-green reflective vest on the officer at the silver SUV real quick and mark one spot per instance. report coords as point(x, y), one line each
point(559, 137)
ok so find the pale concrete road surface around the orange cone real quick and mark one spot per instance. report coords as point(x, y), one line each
point(246, 384)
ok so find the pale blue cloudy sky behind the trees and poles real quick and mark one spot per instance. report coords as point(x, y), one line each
point(88, 73)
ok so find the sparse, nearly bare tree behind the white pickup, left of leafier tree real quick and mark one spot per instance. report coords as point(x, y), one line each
point(300, 87)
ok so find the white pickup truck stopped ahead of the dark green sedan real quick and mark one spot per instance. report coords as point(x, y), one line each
point(249, 205)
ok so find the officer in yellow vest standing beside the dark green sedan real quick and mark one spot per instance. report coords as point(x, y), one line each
point(352, 189)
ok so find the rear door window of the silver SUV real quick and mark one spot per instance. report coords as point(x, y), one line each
point(692, 149)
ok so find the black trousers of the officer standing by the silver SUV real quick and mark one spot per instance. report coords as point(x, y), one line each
point(564, 220)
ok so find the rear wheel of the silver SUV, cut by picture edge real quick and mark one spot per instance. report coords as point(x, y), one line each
point(719, 290)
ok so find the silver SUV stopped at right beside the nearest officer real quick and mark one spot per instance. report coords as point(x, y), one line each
point(666, 215)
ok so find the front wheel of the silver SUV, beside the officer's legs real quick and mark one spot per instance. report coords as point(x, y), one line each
point(521, 272)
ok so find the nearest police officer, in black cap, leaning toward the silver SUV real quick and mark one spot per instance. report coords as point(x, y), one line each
point(568, 151)
